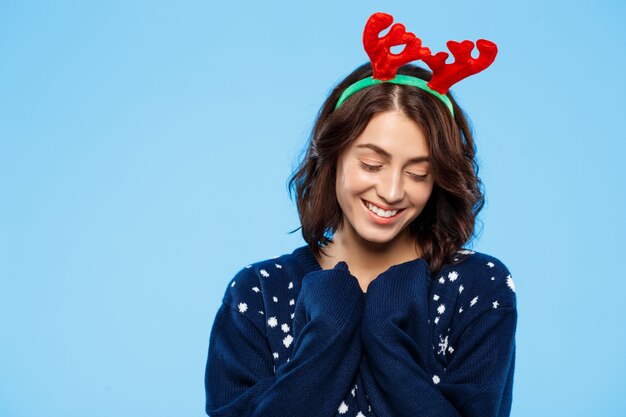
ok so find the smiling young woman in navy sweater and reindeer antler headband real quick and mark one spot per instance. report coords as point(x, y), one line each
point(383, 312)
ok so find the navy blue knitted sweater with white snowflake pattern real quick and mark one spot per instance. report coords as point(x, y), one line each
point(292, 339)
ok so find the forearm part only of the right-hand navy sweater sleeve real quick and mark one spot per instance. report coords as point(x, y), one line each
point(394, 364)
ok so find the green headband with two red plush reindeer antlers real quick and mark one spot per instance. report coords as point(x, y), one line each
point(385, 64)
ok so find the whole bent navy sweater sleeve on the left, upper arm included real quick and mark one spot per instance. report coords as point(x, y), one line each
point(239, 380)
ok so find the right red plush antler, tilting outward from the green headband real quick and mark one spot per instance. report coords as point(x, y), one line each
point(445, 75)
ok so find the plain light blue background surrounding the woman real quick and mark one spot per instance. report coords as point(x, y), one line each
point(144, 154)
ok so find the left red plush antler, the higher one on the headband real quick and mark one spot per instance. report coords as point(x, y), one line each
point(384, 63)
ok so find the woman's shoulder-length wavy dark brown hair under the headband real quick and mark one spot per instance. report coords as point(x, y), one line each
point(447, 222)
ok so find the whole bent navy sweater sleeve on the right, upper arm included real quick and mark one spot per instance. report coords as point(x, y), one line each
point(400, 373)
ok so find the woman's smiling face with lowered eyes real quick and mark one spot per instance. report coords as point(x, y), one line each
point(383, 179)
